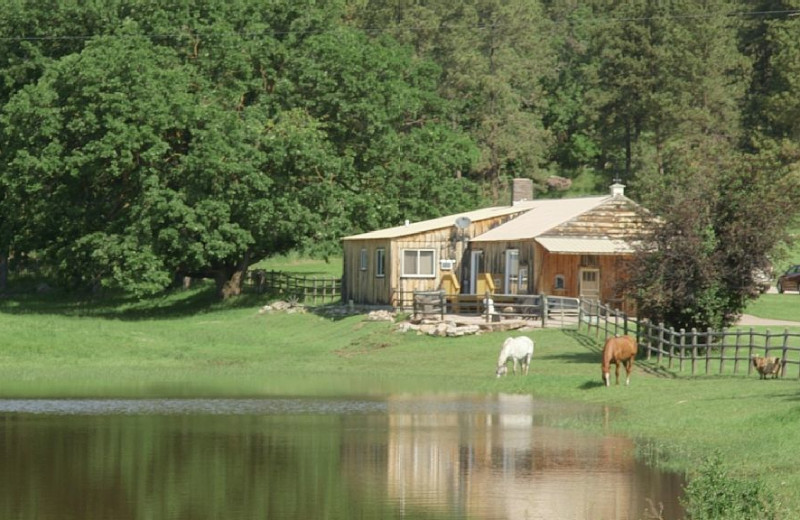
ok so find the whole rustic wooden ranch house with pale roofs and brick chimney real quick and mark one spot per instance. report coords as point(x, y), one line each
point(574, 247)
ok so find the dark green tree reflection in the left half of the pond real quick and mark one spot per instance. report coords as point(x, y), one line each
point(170, 467)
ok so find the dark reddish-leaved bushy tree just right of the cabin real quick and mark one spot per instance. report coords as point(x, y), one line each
point(696, 269)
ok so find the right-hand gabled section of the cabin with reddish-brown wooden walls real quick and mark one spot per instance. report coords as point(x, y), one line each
point(567, 247)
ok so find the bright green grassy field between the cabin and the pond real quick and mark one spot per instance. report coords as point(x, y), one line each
point(185, 344)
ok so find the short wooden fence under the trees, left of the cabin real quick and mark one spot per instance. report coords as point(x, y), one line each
point(311, 290)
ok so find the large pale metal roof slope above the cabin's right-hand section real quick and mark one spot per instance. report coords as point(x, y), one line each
point(543, 216)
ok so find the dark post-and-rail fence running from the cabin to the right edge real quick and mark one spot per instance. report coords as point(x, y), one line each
point(704, 352)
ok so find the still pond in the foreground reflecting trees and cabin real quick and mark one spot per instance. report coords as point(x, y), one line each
point(402, 456)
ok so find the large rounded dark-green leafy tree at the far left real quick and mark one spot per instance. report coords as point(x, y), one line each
point(122, 171)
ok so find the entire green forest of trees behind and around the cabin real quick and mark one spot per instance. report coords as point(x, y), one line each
point(141, 141)
